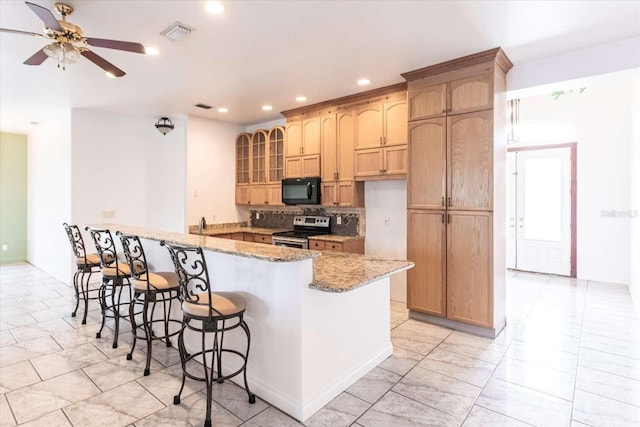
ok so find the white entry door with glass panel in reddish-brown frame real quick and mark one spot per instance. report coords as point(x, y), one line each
point(541, 197)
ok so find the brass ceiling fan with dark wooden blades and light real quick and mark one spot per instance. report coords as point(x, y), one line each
point(69, 42)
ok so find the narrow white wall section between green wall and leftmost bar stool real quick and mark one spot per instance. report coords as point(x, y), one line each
point(49, 195)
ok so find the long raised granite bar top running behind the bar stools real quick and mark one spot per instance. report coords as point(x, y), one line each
point(227, 246)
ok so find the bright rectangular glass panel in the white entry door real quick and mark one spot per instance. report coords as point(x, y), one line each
point(543, 199)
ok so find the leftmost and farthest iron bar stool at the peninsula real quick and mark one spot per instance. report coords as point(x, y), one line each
point(86, 264)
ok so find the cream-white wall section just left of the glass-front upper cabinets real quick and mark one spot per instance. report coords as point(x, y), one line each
point(211, 172)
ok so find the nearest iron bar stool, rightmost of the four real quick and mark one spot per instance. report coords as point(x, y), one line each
point(206, 312)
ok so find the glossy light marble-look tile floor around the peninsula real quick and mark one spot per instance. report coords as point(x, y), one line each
point(570, 356)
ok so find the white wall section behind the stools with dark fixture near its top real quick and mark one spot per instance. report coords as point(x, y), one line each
point(124, 165)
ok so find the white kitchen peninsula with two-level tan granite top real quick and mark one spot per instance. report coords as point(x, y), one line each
point(319, 320)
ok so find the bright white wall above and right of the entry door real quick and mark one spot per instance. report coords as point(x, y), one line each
point(599, 120)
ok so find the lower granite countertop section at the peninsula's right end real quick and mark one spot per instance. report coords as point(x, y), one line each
point(343, 272)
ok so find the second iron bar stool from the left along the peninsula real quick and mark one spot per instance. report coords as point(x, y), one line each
point(115, 278)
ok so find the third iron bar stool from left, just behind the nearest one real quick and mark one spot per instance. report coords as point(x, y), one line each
point(158, 287)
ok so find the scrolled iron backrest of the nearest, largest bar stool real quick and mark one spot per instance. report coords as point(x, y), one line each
point(193, 275)
